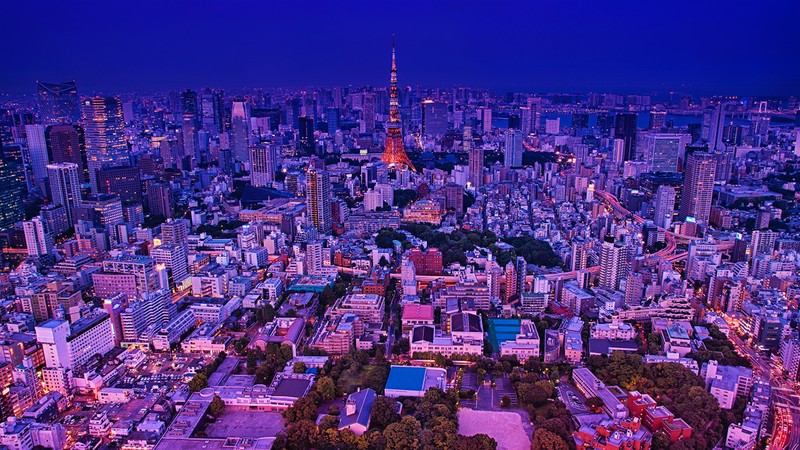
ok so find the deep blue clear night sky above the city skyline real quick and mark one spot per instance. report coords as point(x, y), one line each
point(700, 47)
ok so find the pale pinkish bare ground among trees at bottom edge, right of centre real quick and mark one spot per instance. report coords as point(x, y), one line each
point(505, 427)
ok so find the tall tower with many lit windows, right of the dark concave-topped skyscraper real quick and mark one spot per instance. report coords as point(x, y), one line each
point(105, 135)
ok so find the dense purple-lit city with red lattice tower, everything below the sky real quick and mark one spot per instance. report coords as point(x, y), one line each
point(398, 267)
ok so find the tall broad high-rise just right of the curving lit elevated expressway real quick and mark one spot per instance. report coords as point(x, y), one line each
point(698, 187)
